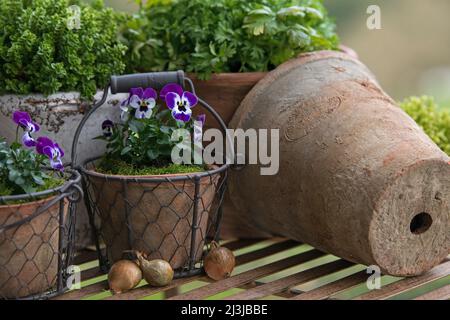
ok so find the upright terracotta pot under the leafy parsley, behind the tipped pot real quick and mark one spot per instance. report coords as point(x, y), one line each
point(225, 92)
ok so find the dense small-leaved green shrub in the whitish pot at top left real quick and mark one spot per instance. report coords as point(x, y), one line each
point(40, 51)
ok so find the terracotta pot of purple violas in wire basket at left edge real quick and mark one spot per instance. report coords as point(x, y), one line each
point(31, 209)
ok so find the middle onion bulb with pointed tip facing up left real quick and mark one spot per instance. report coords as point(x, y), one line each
point(158, 273)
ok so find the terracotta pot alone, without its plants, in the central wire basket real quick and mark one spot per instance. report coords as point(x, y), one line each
point(155, 218)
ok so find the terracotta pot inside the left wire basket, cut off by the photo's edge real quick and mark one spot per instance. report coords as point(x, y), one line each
point(29, 252)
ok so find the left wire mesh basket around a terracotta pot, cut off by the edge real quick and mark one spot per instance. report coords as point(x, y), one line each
point(37, 241)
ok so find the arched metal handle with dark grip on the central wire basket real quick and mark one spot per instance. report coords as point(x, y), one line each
point(156, 80)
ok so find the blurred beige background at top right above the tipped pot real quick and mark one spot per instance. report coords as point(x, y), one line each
point(410, 55)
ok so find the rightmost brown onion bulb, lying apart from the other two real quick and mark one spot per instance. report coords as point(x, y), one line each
point(219, 263)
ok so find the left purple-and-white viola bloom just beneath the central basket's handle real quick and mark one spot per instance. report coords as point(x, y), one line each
point(143, 101)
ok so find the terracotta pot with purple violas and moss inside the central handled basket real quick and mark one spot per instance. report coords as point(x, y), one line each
point(143, 200)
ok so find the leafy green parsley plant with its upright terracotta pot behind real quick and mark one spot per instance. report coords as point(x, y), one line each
point(225, 46)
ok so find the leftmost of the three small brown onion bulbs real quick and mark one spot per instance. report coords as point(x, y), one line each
point(124, 275)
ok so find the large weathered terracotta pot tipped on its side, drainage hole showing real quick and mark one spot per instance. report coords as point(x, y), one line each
point(358, 177)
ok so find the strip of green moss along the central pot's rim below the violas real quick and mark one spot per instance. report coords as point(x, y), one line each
point(116, 167)
